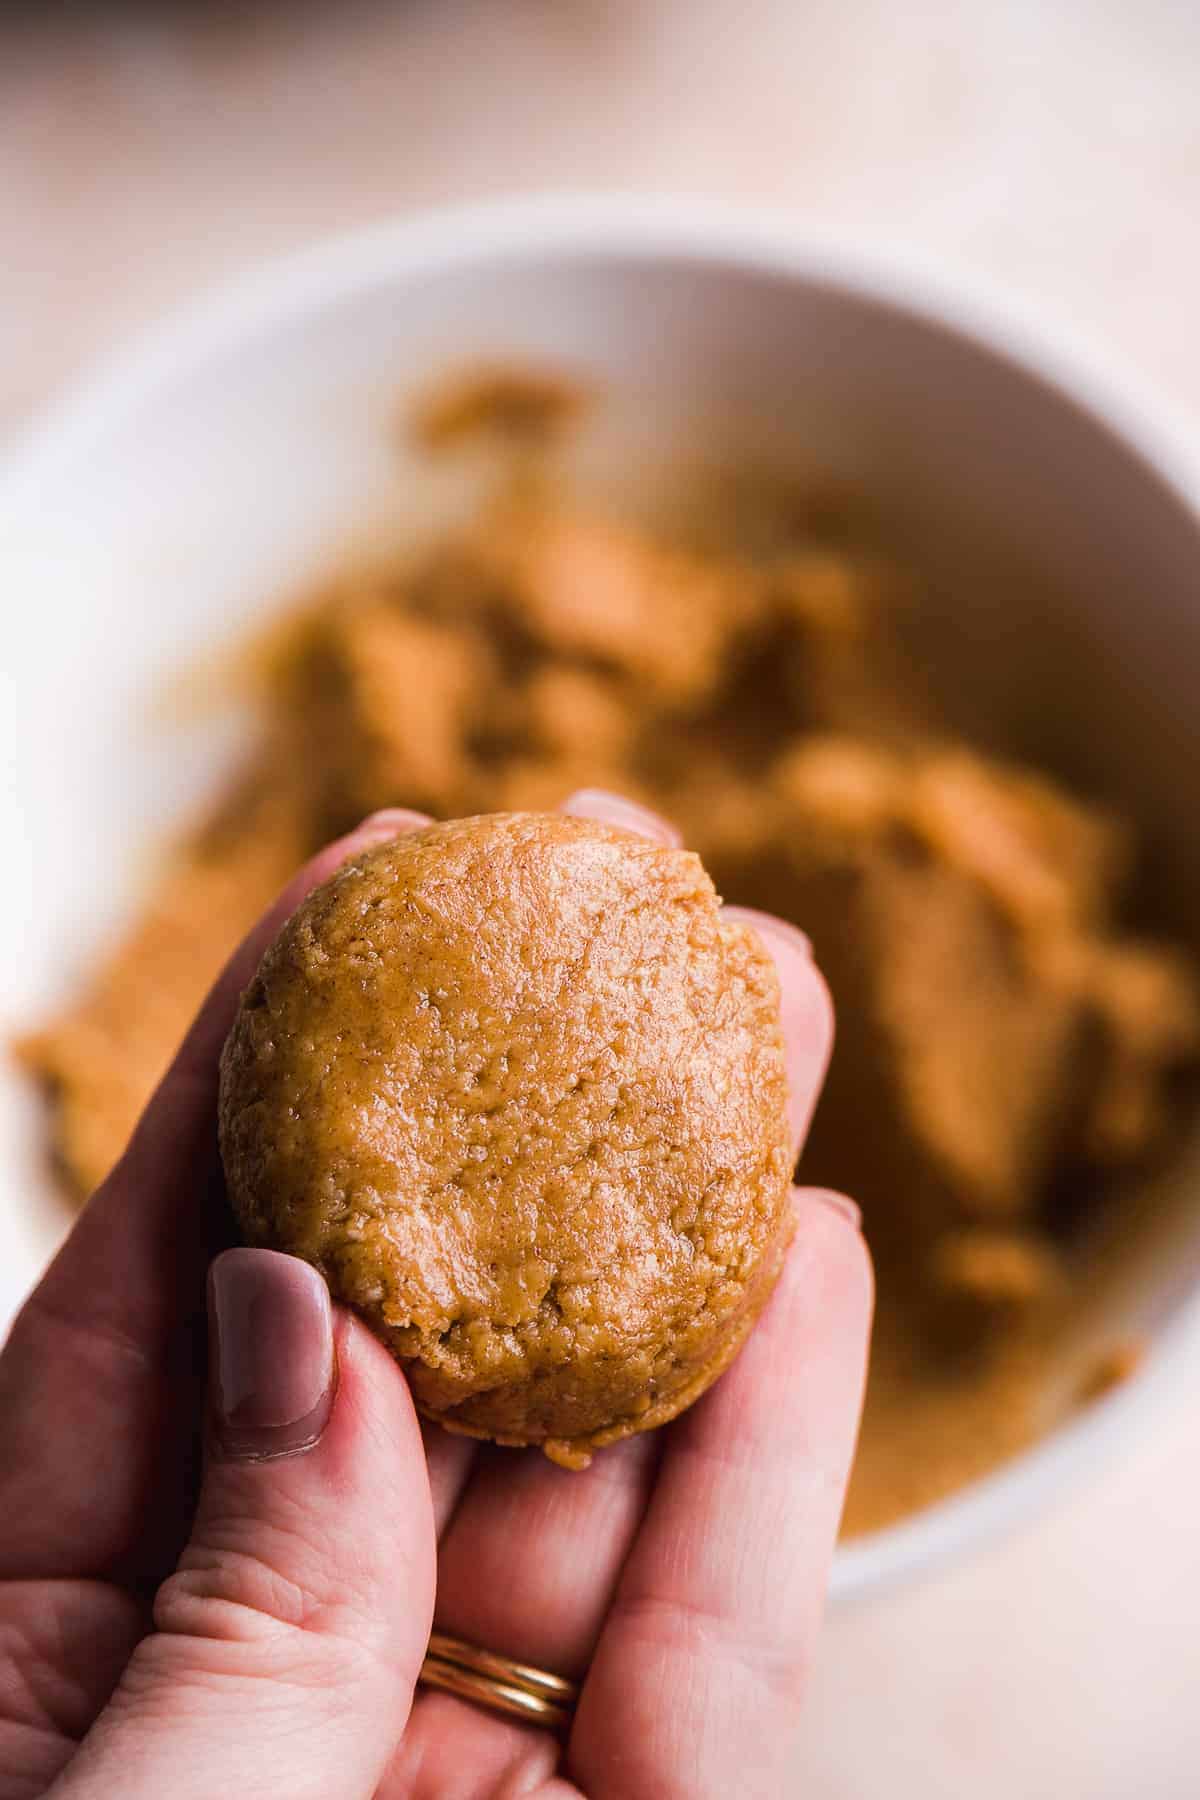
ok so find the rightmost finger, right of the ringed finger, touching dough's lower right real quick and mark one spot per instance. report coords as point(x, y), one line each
point(701, 1669)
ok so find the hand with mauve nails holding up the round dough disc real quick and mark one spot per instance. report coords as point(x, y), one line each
point(258, 1630)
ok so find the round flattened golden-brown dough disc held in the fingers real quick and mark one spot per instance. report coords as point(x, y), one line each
point(517, 1088)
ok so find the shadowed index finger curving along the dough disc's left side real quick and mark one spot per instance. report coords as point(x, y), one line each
point(102, 1374)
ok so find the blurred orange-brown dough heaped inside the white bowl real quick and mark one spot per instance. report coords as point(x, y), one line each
point(1003, 1041)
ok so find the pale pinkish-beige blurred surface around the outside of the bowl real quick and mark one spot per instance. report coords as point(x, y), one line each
point(1053, 147)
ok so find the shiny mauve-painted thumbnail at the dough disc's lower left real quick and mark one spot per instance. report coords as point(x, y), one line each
point(273, 1369)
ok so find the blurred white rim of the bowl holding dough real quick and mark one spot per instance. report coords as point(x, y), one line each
point(596, 226)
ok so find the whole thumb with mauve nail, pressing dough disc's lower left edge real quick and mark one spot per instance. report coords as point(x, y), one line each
point(289, 1641)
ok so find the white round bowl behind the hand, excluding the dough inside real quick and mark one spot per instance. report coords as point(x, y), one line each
point(199, 480)
